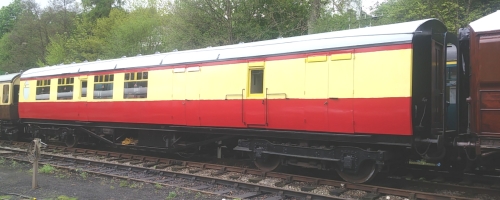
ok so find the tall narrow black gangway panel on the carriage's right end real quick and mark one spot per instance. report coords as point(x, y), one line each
point(437, 81)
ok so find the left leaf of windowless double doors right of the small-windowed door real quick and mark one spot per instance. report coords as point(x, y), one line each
point(316, 93)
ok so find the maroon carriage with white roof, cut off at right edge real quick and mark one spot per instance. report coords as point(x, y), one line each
point(479, 47)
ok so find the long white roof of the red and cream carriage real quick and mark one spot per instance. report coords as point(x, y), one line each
point(386, 34)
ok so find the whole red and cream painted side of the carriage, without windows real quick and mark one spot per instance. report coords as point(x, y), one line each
point(366, 90)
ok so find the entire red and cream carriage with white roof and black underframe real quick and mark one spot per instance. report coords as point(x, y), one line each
point(355, 101)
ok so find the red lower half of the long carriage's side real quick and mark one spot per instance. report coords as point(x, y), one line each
point(368, 116)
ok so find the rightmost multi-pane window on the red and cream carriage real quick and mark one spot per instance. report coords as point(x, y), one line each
point(136, 85)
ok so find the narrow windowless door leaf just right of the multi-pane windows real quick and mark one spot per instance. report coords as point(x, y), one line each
point(179, 96)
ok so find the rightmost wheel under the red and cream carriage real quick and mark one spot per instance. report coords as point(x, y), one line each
point(367, 171)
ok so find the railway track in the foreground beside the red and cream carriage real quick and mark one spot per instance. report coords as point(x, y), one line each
point(226, 181)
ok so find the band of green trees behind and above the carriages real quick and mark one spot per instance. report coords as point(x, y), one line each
point(69, 31)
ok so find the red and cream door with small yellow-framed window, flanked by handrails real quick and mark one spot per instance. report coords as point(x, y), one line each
point(255, 104)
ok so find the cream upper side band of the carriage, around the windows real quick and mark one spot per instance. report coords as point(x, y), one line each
point(376, 75)
